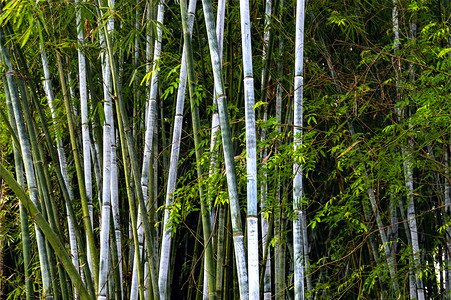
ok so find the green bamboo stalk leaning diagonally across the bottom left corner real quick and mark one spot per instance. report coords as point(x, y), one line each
point(49, 234)
